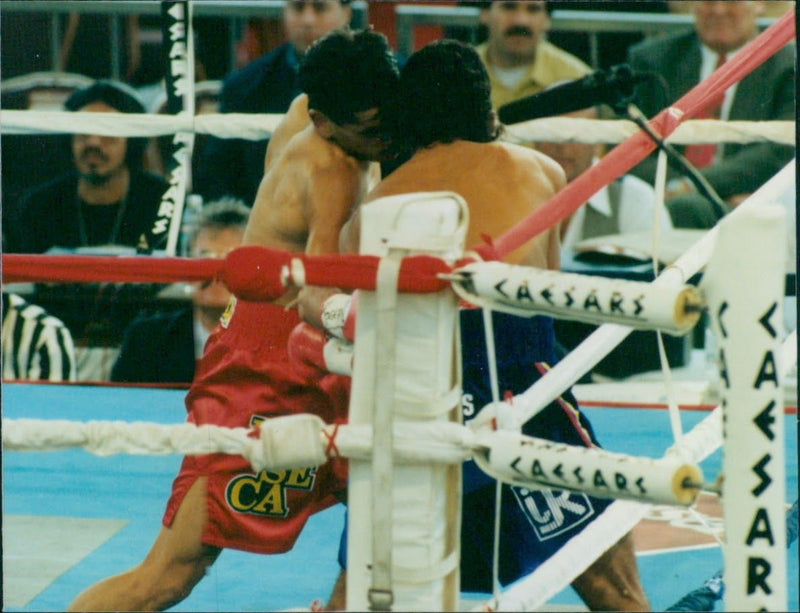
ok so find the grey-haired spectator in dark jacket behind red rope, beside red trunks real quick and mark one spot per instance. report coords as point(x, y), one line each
point(164, 347)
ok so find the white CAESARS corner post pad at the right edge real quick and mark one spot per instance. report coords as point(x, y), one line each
point(744, 285)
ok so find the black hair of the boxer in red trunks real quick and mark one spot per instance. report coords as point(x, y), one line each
point(346, 72)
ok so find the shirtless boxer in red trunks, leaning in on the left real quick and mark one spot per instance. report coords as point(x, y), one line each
point(308, 192)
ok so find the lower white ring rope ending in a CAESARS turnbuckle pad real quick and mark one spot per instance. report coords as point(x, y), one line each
point(305, 440)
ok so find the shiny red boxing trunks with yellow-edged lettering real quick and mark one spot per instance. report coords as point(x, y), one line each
point(244, 377)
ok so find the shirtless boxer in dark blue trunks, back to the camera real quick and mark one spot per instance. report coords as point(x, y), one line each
point(447, 132)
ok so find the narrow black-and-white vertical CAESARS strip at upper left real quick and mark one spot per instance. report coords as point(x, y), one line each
point(179, 82)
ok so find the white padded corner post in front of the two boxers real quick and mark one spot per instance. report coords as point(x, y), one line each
point(424, 499)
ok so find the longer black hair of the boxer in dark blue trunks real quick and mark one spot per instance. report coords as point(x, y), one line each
point(444, 95)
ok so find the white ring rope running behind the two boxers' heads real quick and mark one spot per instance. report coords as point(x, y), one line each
point(260, 126)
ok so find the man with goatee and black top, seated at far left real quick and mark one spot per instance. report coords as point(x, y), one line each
point(106, 201)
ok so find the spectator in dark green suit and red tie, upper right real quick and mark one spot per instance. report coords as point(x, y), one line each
point(767, 93)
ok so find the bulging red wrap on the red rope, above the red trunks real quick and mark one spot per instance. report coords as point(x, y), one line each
point(254, 273)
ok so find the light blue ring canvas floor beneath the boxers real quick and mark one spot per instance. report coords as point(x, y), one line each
point(73, 495)
